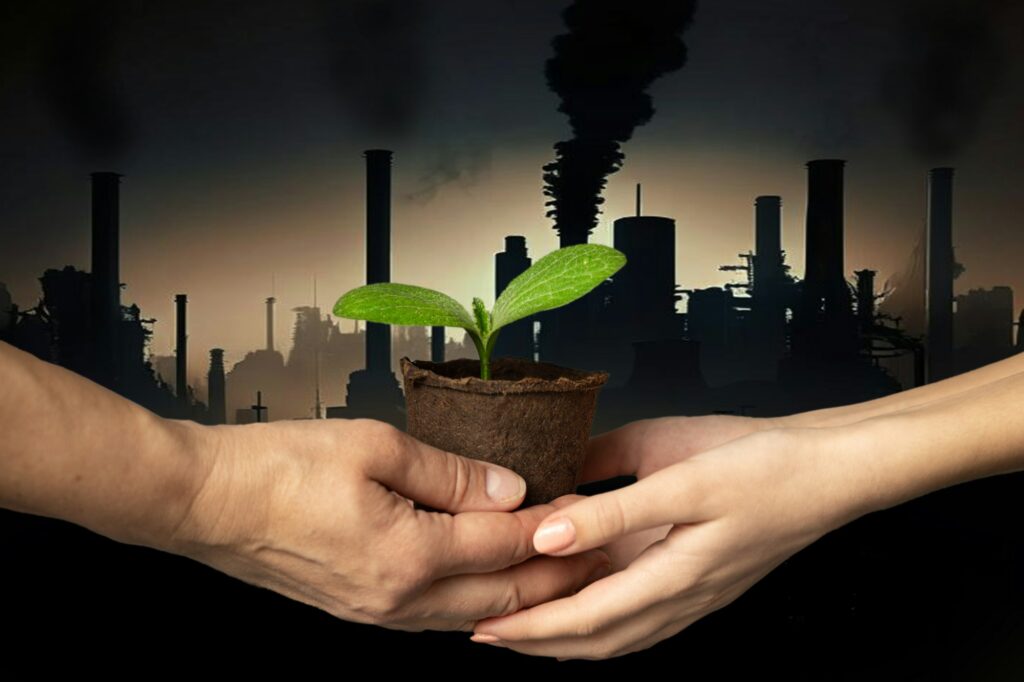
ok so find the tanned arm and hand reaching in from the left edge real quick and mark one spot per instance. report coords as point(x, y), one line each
point(320, 511)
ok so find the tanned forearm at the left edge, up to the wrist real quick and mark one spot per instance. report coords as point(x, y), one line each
point(76, 451)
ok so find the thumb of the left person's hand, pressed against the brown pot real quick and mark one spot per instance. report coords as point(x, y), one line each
point(445, 481)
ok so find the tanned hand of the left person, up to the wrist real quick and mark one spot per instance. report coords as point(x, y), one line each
point(323, 513)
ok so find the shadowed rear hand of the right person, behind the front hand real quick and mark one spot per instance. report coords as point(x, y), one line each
point(642, 448)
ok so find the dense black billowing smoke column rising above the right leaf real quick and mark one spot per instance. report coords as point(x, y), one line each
point(602, 69)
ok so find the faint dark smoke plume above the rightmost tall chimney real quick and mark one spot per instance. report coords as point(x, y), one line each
point(951, 67)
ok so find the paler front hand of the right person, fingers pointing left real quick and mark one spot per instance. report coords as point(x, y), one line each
point(733, 514)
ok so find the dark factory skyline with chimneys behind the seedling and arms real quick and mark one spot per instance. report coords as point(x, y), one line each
point(772, 344)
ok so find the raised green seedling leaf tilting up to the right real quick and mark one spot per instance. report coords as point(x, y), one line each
point(560, 278)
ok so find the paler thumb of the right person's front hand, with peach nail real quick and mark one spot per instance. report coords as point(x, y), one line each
point(668, 497)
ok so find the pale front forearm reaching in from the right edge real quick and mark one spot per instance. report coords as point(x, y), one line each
point(890, 459)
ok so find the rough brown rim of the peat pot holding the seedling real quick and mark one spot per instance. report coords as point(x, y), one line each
point(578, 380)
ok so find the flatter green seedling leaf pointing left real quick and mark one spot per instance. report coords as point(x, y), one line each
point(395, 304)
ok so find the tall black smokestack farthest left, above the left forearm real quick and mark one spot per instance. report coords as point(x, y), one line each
point(106, 284)
